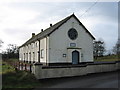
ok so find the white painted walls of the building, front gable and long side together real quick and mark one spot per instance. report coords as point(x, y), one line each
point(56, 45)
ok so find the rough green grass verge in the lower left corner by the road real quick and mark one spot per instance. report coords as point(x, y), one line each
point(17, 79)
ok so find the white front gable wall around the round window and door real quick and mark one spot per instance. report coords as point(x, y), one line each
point(59, 42)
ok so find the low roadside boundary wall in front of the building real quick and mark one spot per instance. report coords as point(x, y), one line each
point(42, 72)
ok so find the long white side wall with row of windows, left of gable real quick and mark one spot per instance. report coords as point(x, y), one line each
point(31, 51)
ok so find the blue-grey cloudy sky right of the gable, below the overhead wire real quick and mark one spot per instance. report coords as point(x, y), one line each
point(103, 23)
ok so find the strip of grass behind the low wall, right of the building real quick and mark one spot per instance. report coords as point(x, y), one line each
point(107, 58)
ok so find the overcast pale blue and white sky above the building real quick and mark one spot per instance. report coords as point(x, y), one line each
point(19, 19)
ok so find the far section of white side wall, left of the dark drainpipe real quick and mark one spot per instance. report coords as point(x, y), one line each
point(29, 52)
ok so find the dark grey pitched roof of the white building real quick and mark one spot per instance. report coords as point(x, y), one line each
point(51, 29)
